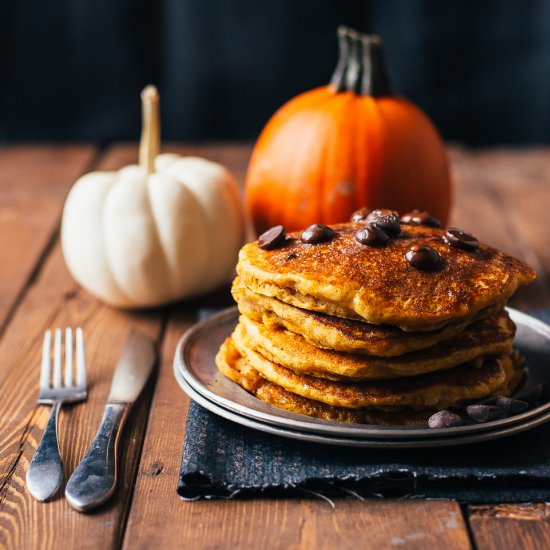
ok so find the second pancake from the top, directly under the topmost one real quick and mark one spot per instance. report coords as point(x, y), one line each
point(348, 335)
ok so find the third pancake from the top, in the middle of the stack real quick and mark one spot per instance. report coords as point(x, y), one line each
point(492, 336)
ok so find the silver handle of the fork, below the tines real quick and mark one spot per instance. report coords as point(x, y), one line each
point(45, 471)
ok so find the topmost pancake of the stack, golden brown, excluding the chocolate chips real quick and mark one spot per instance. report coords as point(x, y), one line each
point(377, 284)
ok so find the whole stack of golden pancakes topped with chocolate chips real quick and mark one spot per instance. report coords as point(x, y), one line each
point(380, 320)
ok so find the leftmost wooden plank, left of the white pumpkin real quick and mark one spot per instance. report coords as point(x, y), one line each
point(33, 184)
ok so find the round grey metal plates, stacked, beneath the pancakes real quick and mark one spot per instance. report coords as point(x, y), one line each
point(195, 370)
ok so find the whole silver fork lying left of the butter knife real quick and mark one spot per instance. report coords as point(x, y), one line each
point(45, 471)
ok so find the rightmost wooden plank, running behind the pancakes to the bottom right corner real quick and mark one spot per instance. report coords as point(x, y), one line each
point(503, 197)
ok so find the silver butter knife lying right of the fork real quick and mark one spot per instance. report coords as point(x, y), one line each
point(94, 480)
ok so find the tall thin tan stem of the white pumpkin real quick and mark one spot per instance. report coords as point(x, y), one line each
point(149, 145)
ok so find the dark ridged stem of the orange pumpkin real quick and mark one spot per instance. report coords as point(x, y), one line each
point(361, 68)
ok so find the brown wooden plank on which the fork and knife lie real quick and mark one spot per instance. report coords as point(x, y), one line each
point(55, 300)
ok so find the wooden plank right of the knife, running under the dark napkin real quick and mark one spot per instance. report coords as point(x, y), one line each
point(259, 523)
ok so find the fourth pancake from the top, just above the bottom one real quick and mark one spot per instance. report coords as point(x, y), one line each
point(440, 390)
